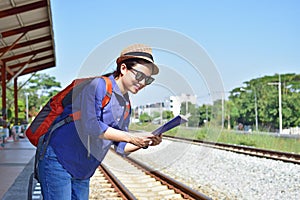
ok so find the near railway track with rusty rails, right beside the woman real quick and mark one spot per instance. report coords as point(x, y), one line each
point(119, 178)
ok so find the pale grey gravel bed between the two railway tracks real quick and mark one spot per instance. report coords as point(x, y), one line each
point(222, 174)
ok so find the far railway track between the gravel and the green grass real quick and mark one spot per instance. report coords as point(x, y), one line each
point(263, 153)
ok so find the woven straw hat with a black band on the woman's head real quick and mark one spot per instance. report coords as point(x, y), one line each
point(138, 51)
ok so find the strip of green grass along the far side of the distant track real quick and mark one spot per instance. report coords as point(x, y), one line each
point(229, 137)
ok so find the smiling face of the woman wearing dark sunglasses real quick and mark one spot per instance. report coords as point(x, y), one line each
point(133, 80)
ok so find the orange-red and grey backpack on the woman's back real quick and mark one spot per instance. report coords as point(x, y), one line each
point(45, 119)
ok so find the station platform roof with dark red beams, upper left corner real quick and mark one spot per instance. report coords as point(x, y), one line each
point(26, 37)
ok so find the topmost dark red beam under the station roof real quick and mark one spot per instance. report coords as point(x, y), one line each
point(25, 8)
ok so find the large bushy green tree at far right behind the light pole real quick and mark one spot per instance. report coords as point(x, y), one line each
point(267, 101)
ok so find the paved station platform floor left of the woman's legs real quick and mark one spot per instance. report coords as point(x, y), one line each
point(16, 165)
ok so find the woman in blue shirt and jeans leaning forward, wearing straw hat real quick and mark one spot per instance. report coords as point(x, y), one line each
point(76, 149)
